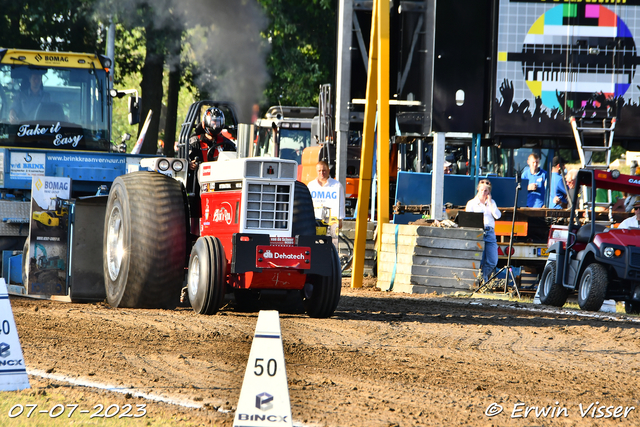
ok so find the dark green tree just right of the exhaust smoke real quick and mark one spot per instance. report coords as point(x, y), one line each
point(302, 36)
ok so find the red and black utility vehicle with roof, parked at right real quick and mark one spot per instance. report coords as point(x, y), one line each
point(598, 261)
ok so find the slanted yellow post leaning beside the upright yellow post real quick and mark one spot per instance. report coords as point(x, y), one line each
point(366, 158)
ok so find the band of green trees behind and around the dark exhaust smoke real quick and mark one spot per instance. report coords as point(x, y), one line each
point(244, 51)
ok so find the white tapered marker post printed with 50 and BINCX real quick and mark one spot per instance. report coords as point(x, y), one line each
point(264, 397)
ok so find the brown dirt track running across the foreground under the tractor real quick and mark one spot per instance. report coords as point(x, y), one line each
point(383, 359)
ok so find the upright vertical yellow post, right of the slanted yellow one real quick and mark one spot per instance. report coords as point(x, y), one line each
point(383, 119)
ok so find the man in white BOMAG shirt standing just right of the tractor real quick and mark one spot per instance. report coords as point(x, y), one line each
point(327, 193)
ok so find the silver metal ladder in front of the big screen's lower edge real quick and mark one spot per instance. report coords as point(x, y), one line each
point(586, 133)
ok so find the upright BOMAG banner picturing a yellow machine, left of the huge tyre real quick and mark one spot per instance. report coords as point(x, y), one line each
point(45, 258)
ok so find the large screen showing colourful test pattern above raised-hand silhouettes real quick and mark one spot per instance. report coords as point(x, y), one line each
point(562, 59)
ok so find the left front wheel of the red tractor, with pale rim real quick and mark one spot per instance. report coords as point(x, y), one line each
point(207, 275)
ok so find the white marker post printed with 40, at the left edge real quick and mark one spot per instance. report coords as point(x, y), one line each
point(13, 372)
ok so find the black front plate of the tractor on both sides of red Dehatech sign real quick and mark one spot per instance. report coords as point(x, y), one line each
point(245, 247)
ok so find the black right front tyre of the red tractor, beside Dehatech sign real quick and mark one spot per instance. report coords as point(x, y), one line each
point(321, 295)
